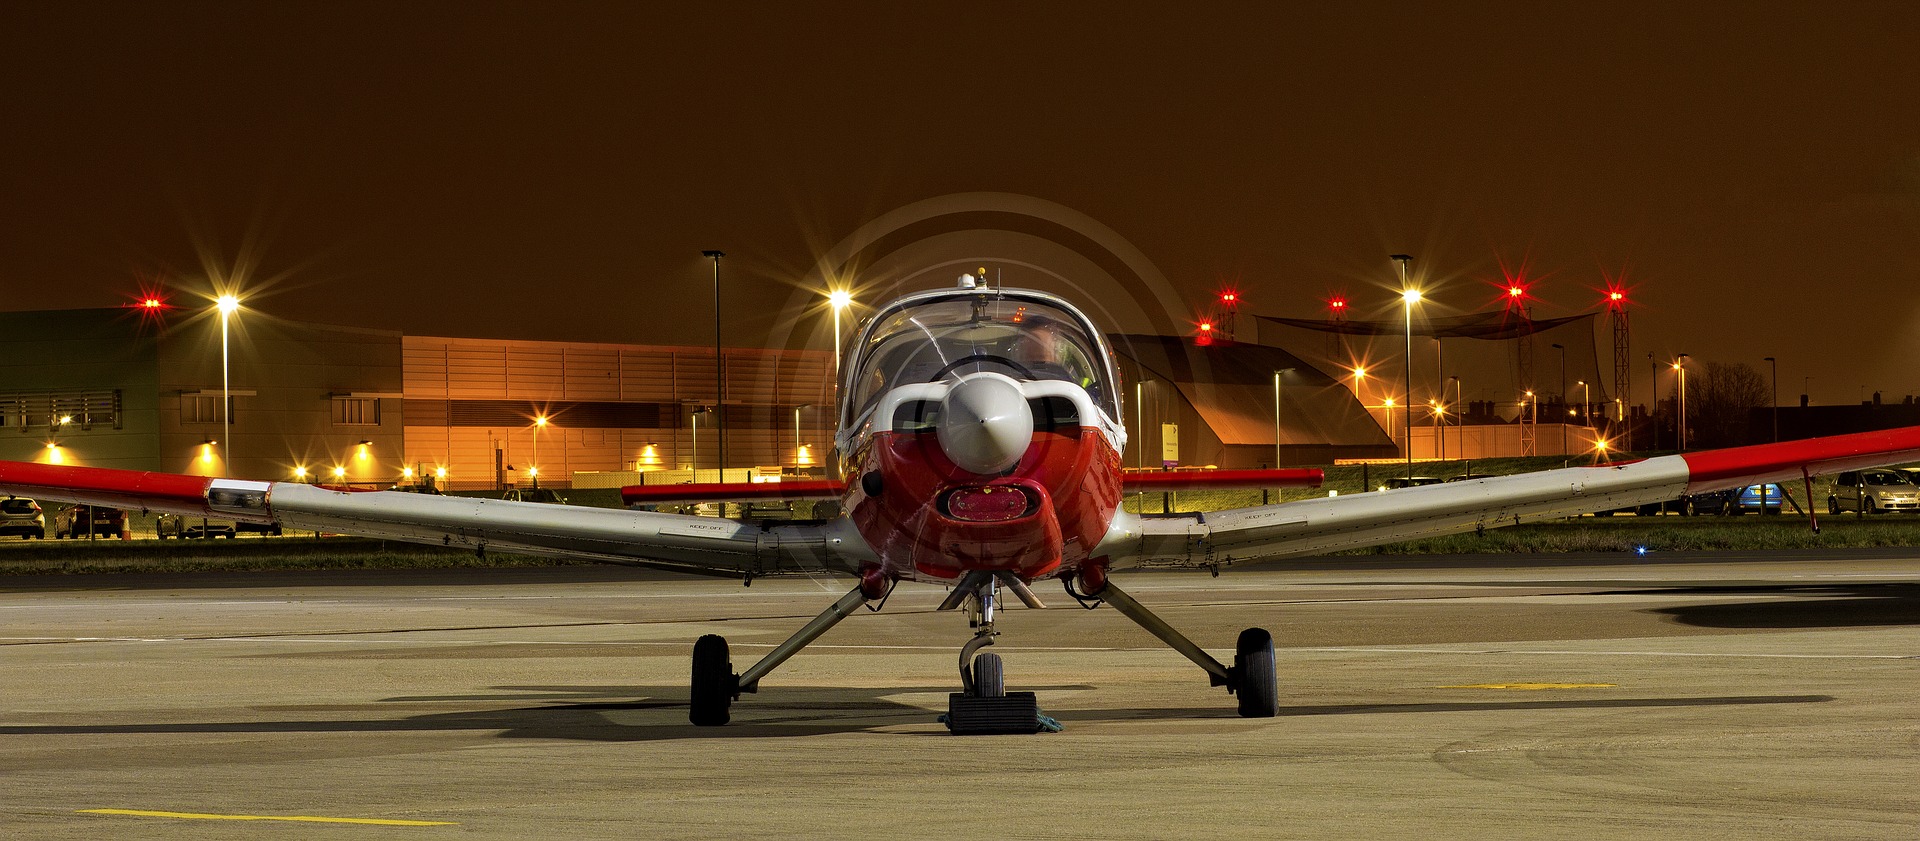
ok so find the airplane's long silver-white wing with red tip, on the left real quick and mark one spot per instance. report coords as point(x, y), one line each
point(696, 544)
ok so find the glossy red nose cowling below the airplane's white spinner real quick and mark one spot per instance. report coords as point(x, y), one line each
point(936, 521)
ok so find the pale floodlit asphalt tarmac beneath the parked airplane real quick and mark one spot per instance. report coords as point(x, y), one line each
point(1712, 698)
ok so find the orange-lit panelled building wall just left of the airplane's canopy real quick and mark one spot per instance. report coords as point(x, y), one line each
point(610, 408)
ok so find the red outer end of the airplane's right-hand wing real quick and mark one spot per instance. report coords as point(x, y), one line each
point(1719, 469)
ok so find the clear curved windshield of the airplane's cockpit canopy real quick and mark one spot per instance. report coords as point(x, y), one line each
point(951, 337)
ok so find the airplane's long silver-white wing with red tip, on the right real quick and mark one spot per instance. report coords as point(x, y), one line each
point(1326, 525)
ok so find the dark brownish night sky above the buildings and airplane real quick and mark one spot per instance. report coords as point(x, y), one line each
point(1752, 172)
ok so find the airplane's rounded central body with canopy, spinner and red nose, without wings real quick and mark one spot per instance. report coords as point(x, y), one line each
point(980, 433)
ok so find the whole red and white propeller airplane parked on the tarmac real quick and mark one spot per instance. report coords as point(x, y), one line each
point(980, 433)
